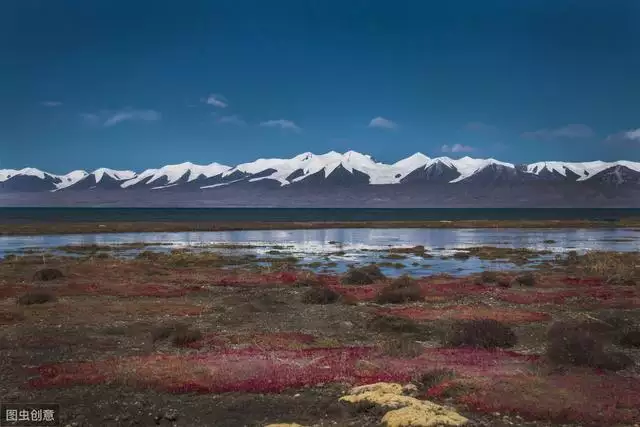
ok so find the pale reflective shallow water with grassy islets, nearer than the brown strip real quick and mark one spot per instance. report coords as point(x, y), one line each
point(315, 246)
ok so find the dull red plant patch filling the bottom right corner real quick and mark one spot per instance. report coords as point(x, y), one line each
point(589, 399)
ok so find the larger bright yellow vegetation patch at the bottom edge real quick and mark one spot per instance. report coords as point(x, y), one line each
point(405, 411)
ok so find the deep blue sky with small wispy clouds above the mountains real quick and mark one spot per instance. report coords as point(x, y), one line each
point(139, 84)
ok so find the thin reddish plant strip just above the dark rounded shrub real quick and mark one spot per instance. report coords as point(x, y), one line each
point(506, 315)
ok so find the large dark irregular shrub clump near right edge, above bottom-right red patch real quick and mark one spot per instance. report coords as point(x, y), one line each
point(575, 344)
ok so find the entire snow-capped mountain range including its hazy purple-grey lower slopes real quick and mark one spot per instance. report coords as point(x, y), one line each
point(334, 179)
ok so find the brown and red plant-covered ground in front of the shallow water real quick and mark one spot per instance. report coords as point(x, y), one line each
point(137, 342)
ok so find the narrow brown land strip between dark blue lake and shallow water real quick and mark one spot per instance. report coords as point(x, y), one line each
point(62, 227)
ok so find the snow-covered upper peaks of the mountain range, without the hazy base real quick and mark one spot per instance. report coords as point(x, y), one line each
point(332, 168)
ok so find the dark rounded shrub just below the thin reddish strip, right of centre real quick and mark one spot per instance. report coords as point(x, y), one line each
point(481, 333)
